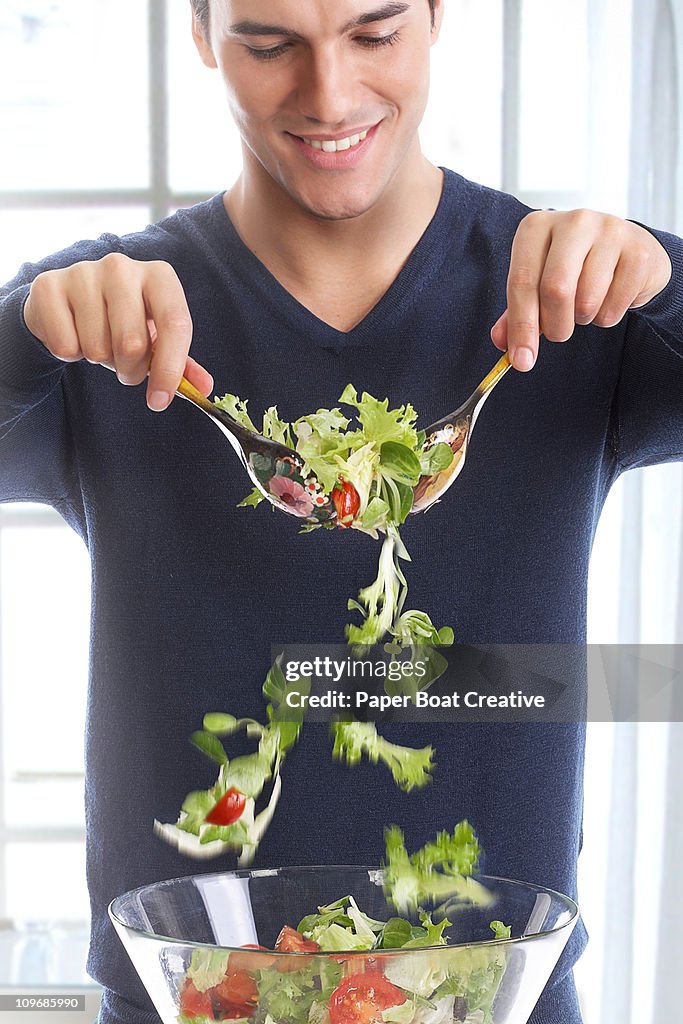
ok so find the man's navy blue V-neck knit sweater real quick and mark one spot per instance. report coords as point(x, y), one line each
point(190, 591)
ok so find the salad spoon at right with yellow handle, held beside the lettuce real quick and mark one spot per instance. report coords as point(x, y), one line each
point(456, 431)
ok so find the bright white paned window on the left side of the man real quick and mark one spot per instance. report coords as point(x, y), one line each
point(80, 161)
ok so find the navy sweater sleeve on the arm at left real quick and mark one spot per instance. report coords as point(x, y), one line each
point(36, 461)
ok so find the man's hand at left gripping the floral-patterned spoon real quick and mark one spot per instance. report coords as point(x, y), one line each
point(114, 312)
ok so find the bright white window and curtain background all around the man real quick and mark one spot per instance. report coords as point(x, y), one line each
point(109, 121)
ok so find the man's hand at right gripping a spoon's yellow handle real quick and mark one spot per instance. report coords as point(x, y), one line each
point(575, 268)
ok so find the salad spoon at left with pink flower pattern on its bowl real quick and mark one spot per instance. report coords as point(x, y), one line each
point(276, 471)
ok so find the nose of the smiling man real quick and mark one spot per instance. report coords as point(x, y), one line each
point(326, 89)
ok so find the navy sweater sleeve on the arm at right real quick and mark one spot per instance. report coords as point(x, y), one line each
point(649, 406)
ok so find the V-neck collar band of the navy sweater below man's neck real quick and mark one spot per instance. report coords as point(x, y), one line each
point(423, 263)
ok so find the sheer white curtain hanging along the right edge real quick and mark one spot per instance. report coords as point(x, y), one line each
point(639, 919)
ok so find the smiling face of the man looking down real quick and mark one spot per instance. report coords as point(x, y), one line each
point(328, 97)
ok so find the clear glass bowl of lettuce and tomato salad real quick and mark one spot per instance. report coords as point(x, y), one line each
point(195, 944)
